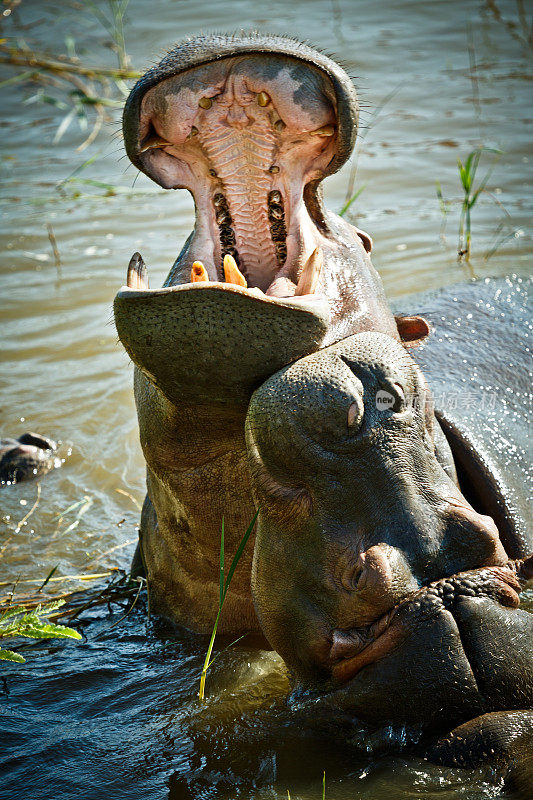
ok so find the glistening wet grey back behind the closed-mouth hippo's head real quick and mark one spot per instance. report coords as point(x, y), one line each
point(478, 365)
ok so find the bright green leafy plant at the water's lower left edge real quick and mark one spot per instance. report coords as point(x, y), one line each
point(18, 622)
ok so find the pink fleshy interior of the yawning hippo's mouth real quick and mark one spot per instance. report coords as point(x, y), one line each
point(244, 135)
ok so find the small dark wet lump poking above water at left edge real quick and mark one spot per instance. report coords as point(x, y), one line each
point(30, 456)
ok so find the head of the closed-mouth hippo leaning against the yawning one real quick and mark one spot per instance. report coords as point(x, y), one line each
point(360, 538)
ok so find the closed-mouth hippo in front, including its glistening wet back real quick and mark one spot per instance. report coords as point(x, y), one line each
point(377, 581)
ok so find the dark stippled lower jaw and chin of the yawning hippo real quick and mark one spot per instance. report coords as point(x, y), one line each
point(215, 343)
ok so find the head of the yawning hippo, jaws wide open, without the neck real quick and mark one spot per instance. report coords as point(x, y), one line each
point(249, 125)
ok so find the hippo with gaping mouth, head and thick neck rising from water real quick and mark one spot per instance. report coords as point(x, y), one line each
point(250, 125)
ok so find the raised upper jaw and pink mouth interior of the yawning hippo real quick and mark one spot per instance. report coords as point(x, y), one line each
point(249, 126)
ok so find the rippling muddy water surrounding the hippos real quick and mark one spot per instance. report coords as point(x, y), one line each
point(116, 715)
